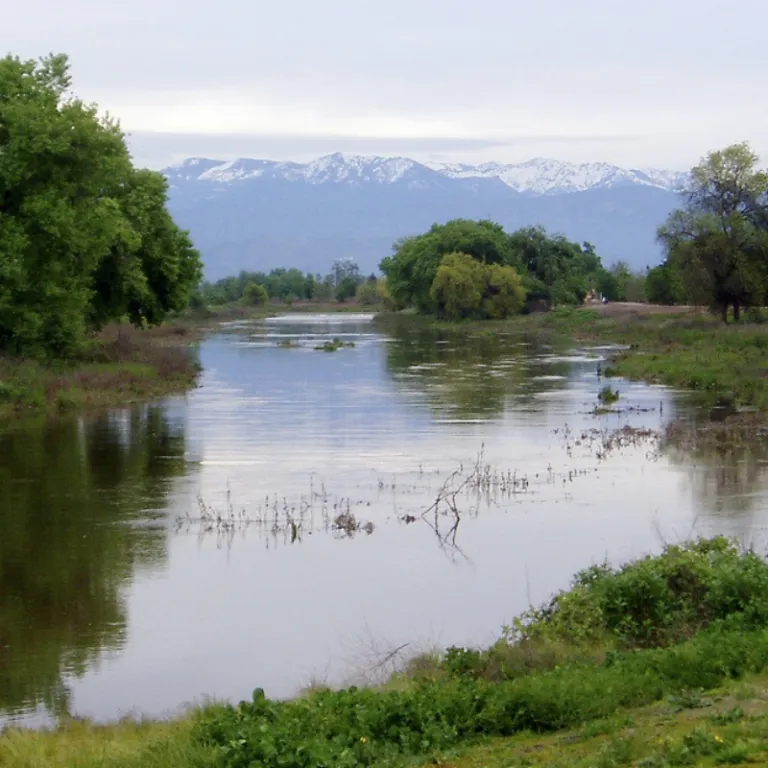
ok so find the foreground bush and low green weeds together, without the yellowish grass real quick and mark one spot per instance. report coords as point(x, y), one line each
point(685, 620)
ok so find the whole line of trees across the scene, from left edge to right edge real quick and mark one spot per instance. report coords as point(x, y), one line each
point(86, 238)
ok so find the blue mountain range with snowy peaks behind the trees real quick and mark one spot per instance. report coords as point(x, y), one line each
point(260, 214)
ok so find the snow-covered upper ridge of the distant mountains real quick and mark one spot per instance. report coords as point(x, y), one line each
point(538, 176)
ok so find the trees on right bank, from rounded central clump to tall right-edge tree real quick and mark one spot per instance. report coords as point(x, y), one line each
point(715, 244)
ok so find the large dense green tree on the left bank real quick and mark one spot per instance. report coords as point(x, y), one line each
point(84, 236)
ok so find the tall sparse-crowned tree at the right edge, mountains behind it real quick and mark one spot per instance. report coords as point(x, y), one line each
point(718, 240)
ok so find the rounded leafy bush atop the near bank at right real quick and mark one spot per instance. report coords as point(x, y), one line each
point(657, 600)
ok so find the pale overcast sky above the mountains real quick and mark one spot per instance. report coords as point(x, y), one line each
point(648, 83)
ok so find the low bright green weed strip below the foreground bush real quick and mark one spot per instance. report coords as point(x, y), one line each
point(363, 727)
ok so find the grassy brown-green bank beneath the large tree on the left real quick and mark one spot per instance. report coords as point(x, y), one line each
point(120, 365)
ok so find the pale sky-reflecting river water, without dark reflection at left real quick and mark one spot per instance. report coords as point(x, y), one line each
point(382, 425)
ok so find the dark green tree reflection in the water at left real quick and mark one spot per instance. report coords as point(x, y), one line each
point(73, 516)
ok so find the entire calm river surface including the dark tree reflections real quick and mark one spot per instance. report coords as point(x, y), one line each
point(121, 592)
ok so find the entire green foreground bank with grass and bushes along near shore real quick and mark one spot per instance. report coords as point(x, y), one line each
point(663, 659)
